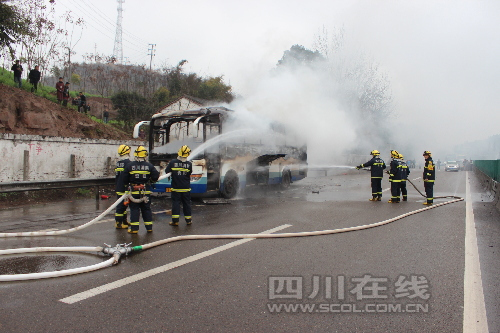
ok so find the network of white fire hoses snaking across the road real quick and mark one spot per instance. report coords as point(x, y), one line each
point(124, 249)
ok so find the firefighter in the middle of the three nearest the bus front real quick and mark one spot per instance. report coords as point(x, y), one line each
point(138, 176)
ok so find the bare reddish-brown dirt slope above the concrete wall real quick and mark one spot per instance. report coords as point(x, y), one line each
point(24, 113)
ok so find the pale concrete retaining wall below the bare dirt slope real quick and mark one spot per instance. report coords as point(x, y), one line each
point(32, 157)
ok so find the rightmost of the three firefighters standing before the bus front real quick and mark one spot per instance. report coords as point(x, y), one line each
point(181, 169)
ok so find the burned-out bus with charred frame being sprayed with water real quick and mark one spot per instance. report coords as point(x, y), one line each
point(226, 156)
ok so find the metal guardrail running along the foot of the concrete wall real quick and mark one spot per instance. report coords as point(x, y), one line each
point(23, 186)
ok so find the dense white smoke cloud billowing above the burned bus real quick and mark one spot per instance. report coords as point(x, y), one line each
point(317, 104)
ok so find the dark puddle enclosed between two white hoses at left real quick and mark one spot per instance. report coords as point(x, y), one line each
point(36, 263)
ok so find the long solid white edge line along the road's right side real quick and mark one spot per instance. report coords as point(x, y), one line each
point(475, 320)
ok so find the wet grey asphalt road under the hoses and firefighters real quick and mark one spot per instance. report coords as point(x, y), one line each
point(240, 288)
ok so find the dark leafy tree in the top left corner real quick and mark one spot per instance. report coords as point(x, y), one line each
point(13, 26)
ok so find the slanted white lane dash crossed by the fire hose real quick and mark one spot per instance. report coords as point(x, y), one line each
point(131, 279)
